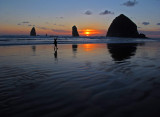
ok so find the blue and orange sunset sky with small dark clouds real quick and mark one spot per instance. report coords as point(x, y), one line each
point(92, 17)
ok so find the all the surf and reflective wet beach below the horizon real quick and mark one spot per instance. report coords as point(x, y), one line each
point(85, 77)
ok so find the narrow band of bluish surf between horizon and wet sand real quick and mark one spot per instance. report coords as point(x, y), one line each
point(27, 40)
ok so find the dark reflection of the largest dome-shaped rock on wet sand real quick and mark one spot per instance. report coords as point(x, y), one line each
point(122, 51)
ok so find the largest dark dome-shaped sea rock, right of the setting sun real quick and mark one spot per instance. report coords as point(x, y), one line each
point(122, 26)
